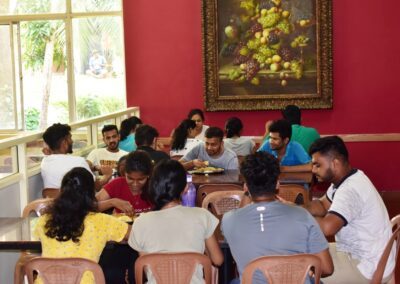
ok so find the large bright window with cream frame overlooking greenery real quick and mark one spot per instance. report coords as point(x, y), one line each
point(60, 61)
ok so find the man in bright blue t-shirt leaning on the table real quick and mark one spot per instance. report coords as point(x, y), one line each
point(290, 154)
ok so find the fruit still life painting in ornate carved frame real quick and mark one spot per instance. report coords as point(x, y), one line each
point(266, 54)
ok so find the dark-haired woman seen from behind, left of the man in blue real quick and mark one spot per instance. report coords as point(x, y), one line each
point(242, 146)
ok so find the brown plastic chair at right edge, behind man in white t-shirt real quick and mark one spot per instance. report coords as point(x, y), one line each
point(380, 269)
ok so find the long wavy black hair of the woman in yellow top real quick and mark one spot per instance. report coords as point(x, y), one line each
point(69, 209)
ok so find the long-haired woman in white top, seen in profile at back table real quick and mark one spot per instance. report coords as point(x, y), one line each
point(181, 142)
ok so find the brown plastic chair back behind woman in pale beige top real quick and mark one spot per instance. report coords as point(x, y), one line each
point(172, 268)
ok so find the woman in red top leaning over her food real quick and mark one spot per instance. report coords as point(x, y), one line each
point(129, 194)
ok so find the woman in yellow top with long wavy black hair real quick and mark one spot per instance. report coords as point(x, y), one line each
point(72, 227)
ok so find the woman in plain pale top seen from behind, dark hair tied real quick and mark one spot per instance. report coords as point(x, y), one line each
point(172, 227)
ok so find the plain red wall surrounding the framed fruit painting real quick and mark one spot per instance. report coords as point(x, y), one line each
point(164, 75)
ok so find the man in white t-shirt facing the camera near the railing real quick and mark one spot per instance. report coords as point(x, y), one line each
point(110, 155)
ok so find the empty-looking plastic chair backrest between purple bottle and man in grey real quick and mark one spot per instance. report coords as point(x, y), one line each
point(222, 201)
